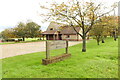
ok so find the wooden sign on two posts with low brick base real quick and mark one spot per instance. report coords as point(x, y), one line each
point(50, 45)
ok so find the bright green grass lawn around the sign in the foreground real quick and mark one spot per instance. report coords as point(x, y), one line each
point(98, 62)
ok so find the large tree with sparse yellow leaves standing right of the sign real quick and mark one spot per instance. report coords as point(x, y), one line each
point(83, 14)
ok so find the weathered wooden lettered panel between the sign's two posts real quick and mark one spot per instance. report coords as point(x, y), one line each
point(56, 44)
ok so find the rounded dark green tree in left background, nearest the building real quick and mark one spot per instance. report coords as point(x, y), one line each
point(33, 29)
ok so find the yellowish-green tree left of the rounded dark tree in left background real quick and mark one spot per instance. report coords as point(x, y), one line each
point(21, 31)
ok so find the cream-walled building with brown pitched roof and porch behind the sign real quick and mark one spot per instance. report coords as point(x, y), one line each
point(58, 31)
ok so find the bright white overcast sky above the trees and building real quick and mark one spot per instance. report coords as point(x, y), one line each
point(14, 11)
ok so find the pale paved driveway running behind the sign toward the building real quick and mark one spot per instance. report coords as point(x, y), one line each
point(10, 50)
